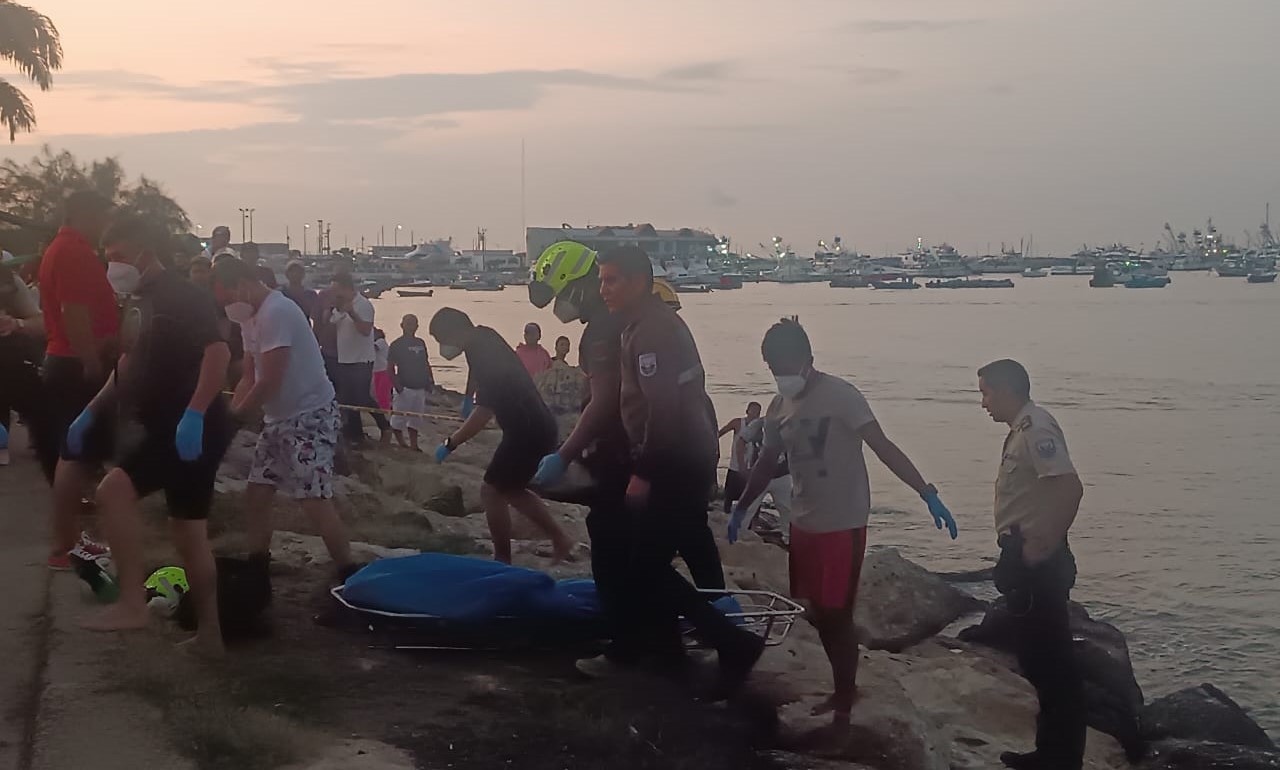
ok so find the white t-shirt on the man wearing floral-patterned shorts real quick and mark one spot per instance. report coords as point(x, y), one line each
point(280, 323)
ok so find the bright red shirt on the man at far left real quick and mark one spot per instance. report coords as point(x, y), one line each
point(71, 273)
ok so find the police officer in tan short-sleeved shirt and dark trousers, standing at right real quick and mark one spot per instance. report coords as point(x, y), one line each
point(1037, 498)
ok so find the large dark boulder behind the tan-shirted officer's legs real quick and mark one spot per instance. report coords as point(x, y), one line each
point(1113, 698)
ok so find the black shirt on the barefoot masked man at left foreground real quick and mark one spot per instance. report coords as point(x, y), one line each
point(166, 334)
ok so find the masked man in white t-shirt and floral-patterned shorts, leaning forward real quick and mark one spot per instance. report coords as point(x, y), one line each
point(285, 378)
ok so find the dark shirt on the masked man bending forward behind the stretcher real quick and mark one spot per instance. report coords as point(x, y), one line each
point(504, 386)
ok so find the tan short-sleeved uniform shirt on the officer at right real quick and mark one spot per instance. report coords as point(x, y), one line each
point(1035, 450)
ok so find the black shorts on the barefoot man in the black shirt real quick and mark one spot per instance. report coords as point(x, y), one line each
point(153, 465)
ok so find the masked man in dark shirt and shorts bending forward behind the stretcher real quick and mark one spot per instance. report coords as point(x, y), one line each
point(504, 392)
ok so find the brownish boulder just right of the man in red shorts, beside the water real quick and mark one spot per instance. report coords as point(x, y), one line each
point(902, 604)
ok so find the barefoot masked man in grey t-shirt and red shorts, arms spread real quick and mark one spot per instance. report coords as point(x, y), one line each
point(821, 423)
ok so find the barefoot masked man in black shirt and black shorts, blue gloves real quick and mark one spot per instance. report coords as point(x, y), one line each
point(173, 430)
